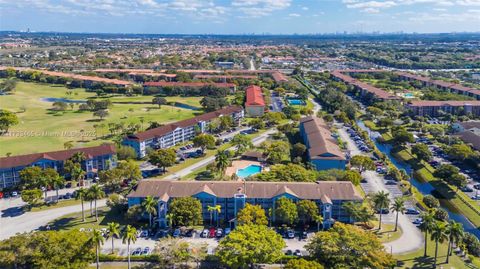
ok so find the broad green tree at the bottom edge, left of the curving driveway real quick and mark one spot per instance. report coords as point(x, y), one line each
point(334, 248)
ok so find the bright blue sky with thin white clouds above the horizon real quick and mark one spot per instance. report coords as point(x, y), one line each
point(240, 16)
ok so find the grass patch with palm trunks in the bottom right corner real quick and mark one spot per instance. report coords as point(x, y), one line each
point(416, 259)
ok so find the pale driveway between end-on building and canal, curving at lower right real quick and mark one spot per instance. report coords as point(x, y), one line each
point(411, 238)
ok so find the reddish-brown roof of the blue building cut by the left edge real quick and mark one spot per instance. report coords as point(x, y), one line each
point(61, 155)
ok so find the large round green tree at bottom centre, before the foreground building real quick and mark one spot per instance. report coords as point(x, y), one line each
point(248, 245)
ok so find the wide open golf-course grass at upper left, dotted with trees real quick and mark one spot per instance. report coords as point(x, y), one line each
point(46, 130)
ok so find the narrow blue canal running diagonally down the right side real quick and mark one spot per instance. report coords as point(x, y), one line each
point(424, 187)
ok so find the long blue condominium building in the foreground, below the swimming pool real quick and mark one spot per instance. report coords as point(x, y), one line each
point(232, 196)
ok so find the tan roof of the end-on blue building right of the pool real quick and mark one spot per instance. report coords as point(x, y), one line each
point(322, 146)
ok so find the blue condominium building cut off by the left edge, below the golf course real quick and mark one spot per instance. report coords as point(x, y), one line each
point(97, 158)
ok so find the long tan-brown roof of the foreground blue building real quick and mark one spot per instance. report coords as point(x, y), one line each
point(334, 190)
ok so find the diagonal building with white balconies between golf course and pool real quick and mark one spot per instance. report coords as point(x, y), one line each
point(178, 132)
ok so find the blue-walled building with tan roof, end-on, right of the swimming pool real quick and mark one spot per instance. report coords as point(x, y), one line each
point(322, 148)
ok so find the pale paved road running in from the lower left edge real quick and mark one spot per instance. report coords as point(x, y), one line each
point(29, 221)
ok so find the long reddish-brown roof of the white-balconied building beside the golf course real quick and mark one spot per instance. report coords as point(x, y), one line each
point(163, 130)
